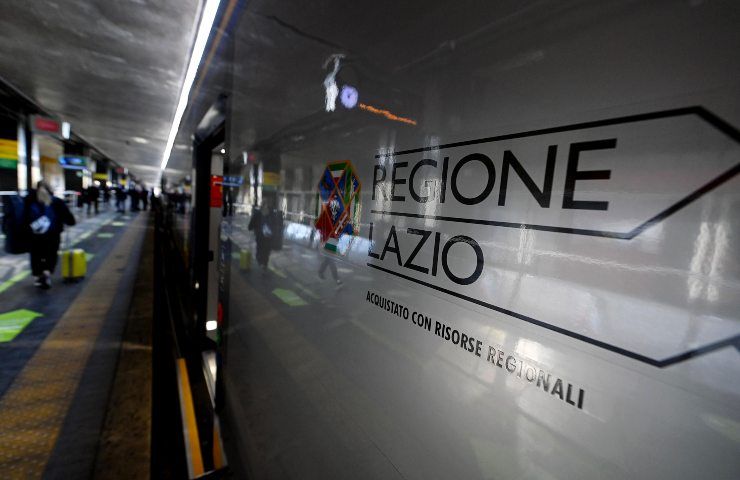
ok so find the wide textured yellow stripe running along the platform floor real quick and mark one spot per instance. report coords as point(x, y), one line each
point(33, 408)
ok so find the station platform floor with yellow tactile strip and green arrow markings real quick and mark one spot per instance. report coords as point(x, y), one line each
point(75, 360)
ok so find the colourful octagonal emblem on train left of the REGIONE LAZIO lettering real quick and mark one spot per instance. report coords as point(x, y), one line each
point(338, 218)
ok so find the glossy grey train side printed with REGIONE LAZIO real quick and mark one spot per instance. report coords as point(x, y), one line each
point(502, 238)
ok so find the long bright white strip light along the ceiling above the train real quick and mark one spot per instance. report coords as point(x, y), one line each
point(201, 39)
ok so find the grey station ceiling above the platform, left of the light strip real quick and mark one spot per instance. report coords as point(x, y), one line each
point(113, 69)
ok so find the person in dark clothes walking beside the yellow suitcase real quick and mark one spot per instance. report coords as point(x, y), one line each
point(45, 216)
